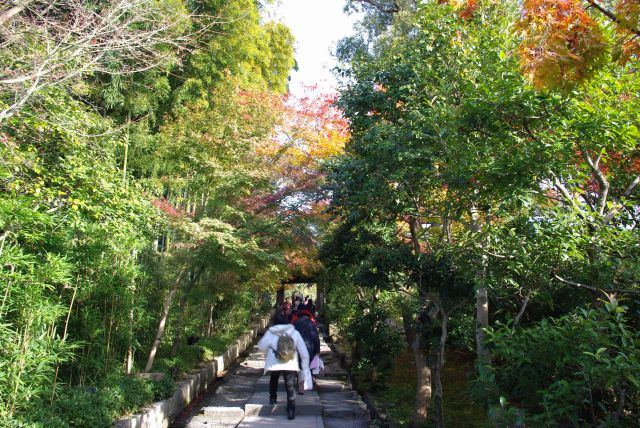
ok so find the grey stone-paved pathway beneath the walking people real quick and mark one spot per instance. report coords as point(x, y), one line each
point(242, 399)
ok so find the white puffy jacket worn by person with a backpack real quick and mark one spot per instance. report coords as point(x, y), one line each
point(269, 343)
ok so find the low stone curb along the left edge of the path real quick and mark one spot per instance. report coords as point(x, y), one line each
point(159, 415)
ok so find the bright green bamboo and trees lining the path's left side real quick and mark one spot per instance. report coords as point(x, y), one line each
point(123, 176)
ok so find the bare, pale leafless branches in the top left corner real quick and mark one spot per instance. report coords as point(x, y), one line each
point(70, 39)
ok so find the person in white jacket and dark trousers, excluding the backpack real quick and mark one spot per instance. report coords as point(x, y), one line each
point(288, 369)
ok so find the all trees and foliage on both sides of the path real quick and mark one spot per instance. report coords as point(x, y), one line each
point(147, 196)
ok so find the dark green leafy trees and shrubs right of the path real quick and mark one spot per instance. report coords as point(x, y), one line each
point(463, 182)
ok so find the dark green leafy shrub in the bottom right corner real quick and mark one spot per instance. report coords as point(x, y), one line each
point(570, 371)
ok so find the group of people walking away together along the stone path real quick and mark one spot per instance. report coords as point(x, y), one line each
point(292, 346)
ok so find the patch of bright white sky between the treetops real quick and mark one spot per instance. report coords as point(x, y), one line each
point(317, 26)
